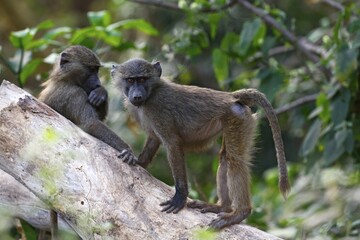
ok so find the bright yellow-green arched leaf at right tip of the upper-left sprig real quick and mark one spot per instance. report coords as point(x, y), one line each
point(138, 24)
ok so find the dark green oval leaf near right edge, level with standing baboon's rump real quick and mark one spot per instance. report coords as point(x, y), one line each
point(340, 106)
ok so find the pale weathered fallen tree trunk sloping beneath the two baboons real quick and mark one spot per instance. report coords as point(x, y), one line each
point(81, 177)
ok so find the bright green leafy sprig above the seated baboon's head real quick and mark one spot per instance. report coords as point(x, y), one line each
point(37, 39)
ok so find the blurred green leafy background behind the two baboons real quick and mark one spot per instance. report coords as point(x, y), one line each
point(304, 55)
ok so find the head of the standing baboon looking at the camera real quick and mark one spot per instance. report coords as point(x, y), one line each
point(137, 78)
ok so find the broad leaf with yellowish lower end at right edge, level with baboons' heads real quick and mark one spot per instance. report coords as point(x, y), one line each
point(346, 63)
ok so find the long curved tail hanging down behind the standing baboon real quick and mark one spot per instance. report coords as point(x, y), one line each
point(252, 97)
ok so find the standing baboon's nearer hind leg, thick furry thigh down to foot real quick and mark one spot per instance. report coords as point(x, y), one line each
point(239, 136)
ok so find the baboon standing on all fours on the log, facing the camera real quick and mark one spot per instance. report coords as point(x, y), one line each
point(185, 118)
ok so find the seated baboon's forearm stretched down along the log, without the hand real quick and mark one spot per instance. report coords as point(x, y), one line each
point(99, 130)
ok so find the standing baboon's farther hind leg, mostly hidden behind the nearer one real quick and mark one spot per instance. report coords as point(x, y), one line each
point(224, 203)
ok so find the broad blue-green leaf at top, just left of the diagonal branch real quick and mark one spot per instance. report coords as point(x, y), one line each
point(248, 34)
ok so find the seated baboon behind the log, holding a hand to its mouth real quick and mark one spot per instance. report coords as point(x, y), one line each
point(74, 90)
